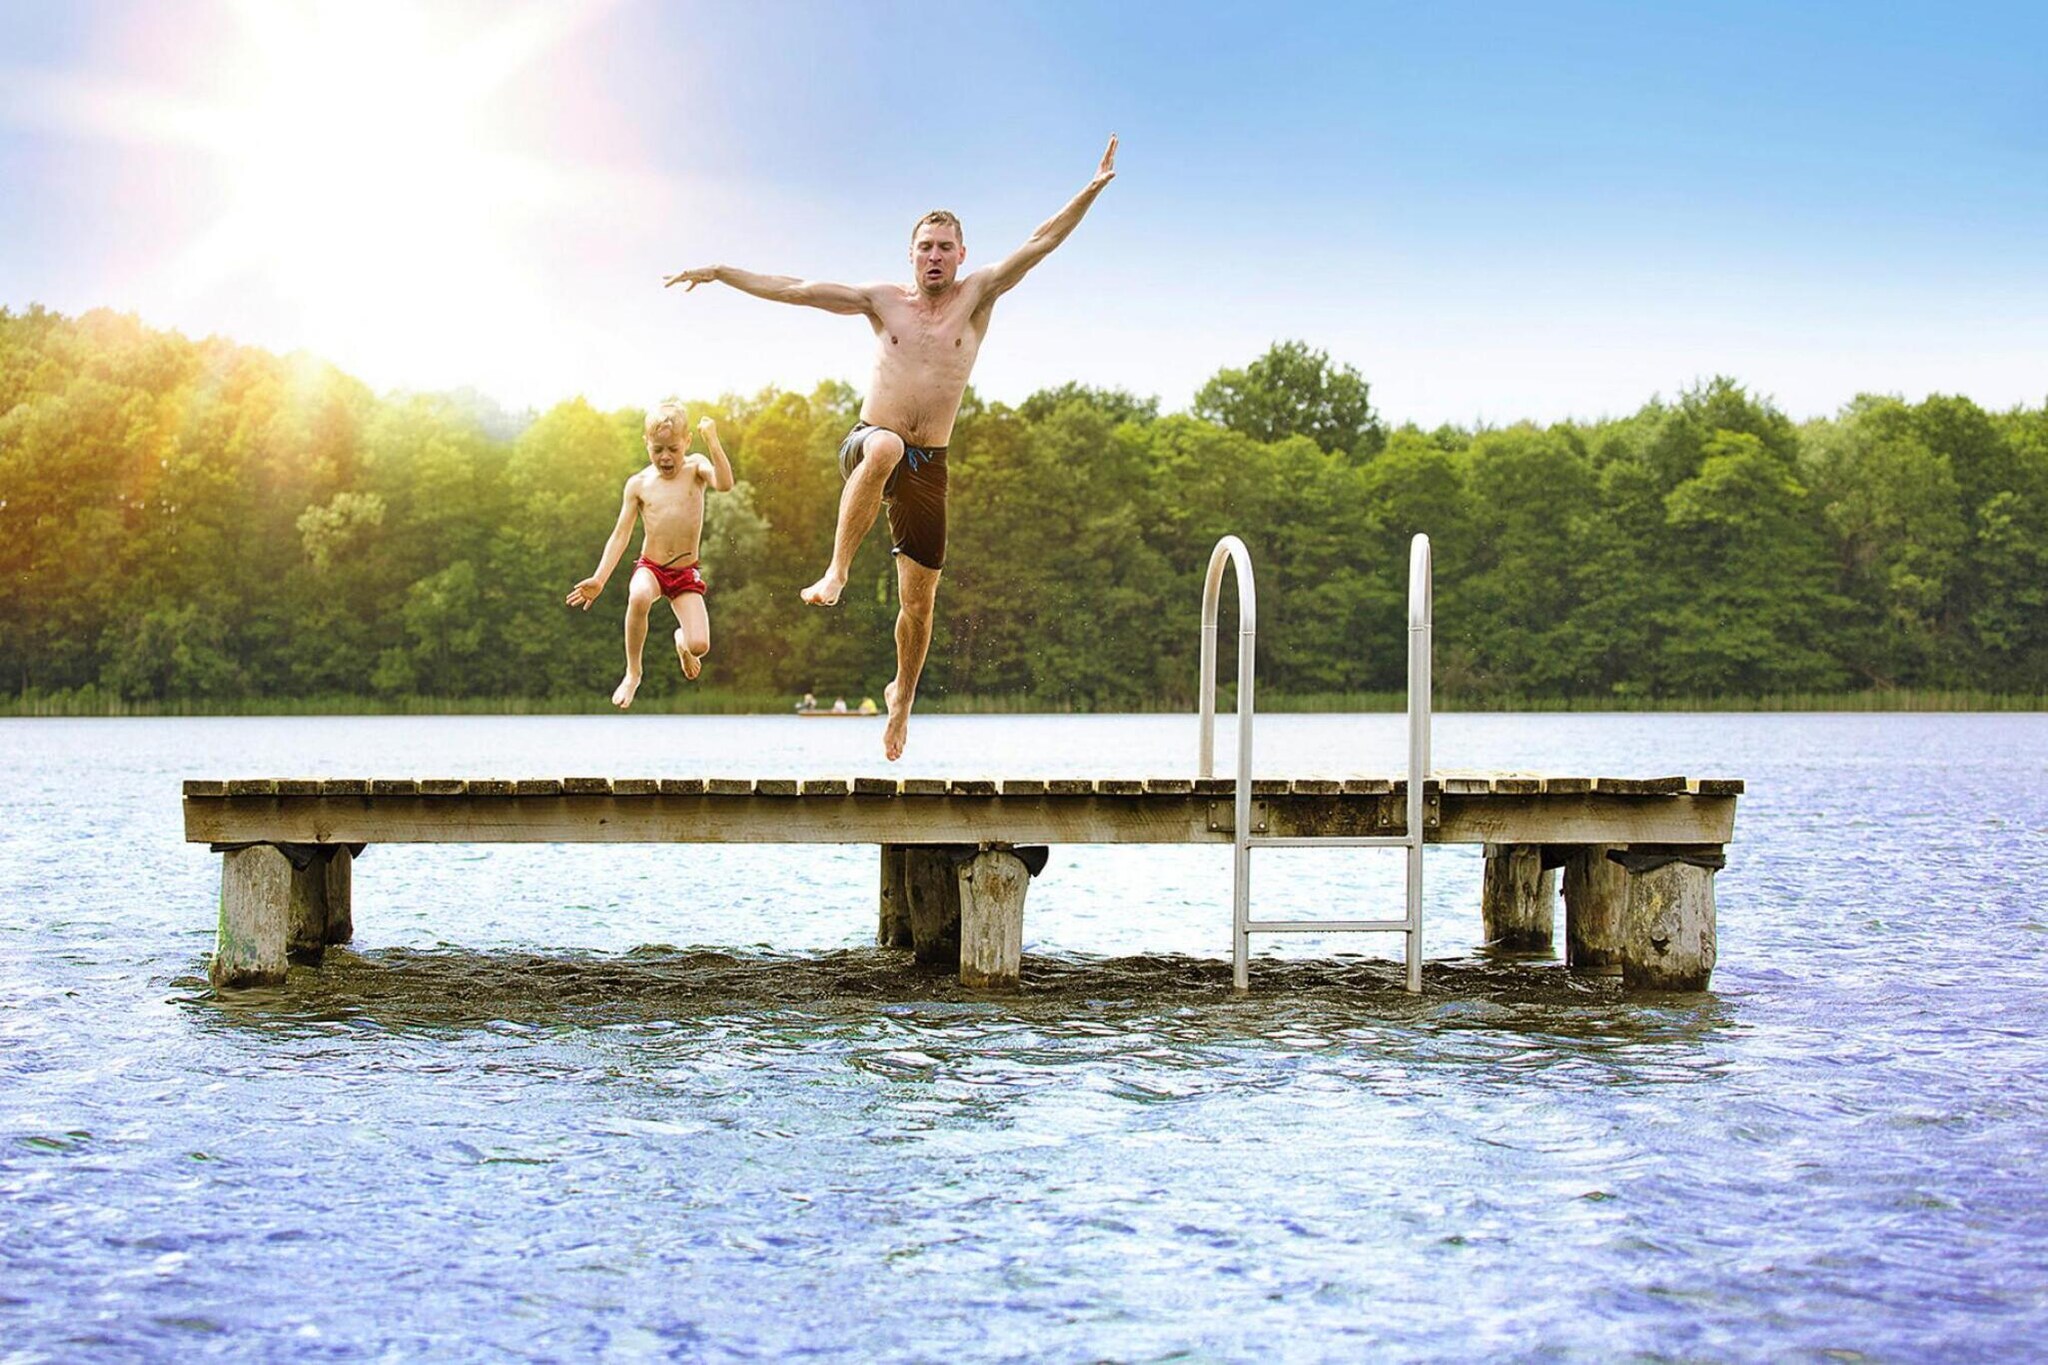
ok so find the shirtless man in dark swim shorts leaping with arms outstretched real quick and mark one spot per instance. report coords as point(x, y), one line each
point(927, 339)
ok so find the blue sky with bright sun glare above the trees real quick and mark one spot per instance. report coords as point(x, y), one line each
point(1494, 212)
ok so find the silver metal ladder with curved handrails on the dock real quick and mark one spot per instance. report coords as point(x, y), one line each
point(1232, 552)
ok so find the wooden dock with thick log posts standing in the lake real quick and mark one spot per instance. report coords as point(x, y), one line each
point(957, 854)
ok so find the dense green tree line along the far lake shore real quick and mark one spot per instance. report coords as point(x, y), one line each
point(204, 521)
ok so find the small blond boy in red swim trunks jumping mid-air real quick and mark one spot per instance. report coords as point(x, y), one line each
point(669, 500)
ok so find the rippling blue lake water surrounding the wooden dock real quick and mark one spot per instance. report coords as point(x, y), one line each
point(673, 1104)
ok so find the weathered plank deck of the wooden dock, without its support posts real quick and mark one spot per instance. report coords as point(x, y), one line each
point(1510, 811)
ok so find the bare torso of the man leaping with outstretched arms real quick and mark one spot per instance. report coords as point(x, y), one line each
point(925, 353)
